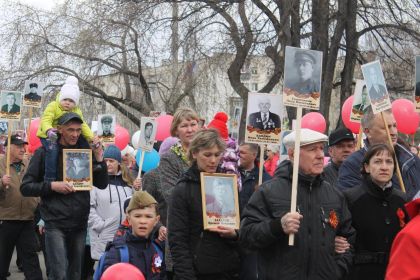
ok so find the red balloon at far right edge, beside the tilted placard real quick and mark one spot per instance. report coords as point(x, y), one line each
point(405, 115)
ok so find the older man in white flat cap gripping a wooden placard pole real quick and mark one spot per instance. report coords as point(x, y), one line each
point(322, 215)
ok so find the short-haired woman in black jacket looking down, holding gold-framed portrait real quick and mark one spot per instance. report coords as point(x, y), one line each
point(198, 253)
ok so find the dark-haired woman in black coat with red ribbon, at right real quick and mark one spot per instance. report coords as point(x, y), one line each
point(377, 213)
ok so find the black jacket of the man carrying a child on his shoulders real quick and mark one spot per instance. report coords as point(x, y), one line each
point(64, 211)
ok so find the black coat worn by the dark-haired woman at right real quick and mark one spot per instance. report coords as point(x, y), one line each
point(375, 218)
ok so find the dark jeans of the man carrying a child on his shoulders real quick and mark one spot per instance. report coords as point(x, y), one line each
point(65, 250)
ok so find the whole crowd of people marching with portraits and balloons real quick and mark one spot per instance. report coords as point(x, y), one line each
point(353, 221)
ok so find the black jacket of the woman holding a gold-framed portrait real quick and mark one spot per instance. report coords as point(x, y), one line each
point(196, 252)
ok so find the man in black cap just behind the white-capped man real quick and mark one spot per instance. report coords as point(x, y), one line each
point(340, 145)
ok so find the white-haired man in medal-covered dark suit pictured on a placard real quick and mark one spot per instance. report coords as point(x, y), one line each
point(264, 119)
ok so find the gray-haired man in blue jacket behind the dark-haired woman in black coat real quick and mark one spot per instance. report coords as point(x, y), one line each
point(373, 126)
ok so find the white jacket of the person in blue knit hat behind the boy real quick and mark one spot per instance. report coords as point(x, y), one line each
point(106, 213)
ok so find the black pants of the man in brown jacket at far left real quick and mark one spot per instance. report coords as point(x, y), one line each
point(22, 235)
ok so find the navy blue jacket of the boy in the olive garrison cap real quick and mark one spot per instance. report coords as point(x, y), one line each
point(142, 254)
